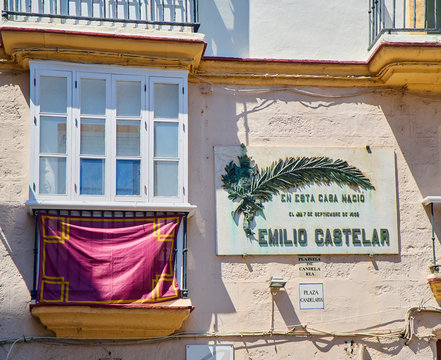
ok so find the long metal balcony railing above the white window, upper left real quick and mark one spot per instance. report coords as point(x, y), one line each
point(171, 13)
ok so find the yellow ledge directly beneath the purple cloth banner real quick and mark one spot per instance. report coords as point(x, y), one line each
point(112, 322)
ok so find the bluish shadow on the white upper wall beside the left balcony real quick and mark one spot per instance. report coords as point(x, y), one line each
point(226, 25)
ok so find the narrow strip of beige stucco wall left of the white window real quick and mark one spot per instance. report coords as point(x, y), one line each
point(16, 227)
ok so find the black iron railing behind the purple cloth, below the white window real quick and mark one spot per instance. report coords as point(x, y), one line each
point(181, 250)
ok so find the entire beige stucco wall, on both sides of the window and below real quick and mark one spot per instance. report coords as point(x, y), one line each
point(230, 293)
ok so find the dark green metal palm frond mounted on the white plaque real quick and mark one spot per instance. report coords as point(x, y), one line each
point(251, 188)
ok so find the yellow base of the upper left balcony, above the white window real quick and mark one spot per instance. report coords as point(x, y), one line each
point(22, 44)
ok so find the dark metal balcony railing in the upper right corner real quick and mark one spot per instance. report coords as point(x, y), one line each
point(386, 16)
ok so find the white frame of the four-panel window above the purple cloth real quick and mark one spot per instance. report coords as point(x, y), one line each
point(148, 77)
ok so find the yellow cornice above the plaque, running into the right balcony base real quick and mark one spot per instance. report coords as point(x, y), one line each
point(415, 66)
